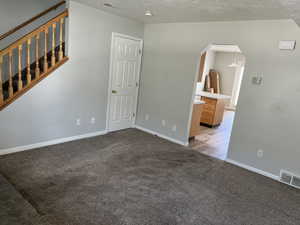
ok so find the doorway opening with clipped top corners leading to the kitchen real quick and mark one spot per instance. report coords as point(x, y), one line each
point(217, 90)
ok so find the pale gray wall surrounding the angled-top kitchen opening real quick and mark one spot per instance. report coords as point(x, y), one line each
point(267, 116)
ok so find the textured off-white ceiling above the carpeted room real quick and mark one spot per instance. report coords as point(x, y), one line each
point(201, 10)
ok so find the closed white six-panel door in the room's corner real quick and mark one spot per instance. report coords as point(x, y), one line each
point(124, 81)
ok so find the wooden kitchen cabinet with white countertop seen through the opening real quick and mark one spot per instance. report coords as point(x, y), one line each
point(213, 111)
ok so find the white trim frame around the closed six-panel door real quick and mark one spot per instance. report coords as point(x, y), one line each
point(112, 48)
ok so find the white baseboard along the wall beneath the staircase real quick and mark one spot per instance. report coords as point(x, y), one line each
point(48, 143)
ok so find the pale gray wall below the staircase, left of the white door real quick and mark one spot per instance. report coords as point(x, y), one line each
point(78, 89)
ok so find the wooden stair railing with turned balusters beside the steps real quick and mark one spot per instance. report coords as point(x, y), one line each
point(42, 58)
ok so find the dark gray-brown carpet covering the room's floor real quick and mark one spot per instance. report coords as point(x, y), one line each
point(133, 178)
